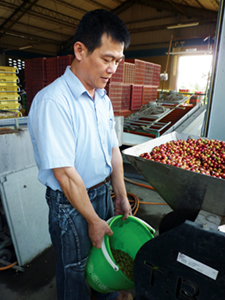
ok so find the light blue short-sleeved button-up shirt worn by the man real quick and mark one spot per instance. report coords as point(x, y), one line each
point(68, 128)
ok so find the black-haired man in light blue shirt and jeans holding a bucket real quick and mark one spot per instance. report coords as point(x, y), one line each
point(71, 124)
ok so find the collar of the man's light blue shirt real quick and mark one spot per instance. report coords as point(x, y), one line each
point(77, 87)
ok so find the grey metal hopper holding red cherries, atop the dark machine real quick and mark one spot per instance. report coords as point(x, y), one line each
point(183, 190)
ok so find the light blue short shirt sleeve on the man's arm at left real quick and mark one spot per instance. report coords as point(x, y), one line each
point(51, 126)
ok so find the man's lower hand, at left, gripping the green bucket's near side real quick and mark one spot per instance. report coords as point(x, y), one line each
point(97, 231)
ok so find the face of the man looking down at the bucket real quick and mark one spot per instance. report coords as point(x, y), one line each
point(98, 67)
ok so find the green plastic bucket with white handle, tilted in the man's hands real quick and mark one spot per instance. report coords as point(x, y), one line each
point(102, 273)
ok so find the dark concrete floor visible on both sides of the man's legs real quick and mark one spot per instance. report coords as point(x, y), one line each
point(37, 282)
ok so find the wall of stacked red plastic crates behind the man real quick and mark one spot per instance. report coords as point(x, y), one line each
point(134, 83)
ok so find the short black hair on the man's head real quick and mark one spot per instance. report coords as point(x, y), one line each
point(97, 22)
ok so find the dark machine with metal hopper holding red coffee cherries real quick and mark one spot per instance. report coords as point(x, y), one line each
point(186, 260)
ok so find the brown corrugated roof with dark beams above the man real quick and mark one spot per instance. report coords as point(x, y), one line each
point(48, 27)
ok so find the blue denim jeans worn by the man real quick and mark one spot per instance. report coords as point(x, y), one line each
point(70, 239)
